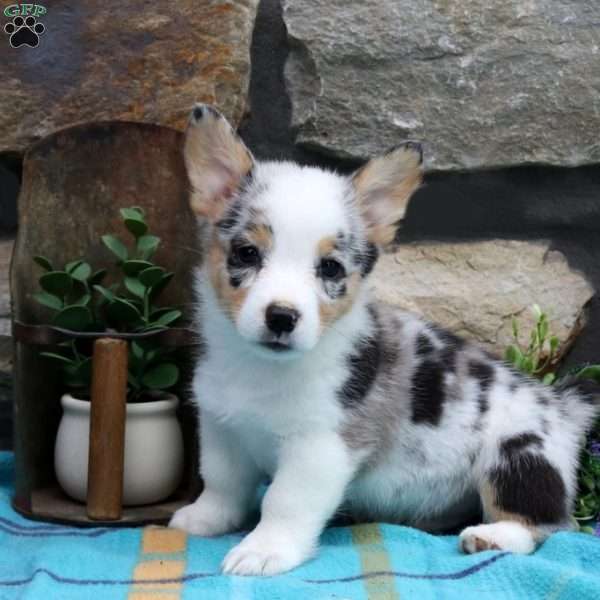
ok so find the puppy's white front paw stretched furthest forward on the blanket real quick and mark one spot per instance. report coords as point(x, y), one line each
point(264, 554)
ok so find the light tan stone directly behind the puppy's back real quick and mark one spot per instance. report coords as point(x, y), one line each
point(474, 289)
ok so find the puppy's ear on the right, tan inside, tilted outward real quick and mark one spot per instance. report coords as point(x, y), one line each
point(384, 186)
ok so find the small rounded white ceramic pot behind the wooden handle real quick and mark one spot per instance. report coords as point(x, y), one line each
point(153, 450)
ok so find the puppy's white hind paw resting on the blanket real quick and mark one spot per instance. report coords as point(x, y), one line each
point(503, 535)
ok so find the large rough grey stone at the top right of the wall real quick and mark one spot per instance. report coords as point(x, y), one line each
point(484, 84)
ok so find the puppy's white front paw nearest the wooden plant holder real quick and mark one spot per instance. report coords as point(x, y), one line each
point(207, 517)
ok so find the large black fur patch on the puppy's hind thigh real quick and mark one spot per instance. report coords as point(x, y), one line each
point(529, 486)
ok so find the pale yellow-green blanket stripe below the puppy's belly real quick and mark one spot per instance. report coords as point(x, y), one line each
point(374, 558)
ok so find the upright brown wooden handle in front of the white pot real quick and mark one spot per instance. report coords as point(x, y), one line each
point(107, 429)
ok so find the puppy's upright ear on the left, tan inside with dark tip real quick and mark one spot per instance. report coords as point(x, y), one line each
point(216, 160)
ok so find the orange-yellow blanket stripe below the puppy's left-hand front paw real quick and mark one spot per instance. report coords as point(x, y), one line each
point(162, 560)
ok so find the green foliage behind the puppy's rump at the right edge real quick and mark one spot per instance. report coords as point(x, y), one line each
point(537, 359)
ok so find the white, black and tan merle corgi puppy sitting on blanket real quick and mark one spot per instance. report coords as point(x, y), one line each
point(343, 404)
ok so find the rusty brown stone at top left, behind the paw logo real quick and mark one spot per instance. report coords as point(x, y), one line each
point(135, 60)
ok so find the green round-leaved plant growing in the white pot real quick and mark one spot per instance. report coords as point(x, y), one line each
point(80, 301)
